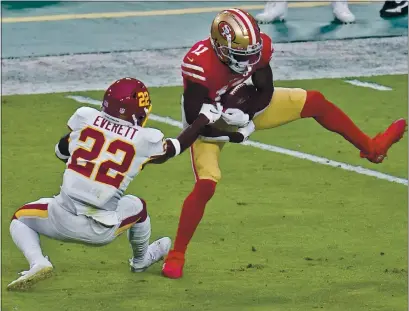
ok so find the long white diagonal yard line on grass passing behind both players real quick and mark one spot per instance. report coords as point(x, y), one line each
point(271, 148)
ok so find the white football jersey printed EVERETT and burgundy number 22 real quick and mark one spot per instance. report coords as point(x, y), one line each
point(105, 157)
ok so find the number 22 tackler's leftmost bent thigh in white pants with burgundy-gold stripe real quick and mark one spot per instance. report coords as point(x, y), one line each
point(36, 216)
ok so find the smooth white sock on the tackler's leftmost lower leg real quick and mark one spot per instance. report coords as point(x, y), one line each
point(27, 240)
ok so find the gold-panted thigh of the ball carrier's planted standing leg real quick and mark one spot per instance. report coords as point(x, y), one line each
point(205, 159)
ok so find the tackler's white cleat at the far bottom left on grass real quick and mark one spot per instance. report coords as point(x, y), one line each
point(37, 272)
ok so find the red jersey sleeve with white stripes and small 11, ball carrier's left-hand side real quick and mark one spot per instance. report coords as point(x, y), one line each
point(194, 64)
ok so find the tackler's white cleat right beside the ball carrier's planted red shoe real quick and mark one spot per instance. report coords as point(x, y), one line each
point(156, 251)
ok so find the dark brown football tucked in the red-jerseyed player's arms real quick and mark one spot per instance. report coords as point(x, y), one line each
point(238, 97)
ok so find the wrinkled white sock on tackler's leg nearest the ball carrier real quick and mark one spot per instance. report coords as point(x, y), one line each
point(138, 236)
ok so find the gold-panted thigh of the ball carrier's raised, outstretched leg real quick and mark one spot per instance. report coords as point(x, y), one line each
point(285, 106)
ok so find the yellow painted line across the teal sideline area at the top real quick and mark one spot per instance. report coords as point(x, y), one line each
point(166, 12)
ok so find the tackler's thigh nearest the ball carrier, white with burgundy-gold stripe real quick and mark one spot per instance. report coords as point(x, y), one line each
point(131, 210)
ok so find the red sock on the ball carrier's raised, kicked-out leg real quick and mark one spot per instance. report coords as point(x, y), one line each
point(334, 119)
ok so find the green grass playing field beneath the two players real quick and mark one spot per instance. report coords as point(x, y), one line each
point(280, 234)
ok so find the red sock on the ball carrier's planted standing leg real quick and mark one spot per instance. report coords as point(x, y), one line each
point(192, 212)
